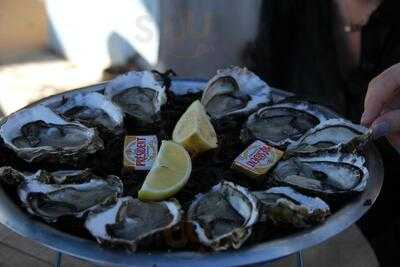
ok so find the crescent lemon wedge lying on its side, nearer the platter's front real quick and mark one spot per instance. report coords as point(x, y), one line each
point(169, 173)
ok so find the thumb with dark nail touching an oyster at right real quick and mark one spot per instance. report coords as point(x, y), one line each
point(386, 124)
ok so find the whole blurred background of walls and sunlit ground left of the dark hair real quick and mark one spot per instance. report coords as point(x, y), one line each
point(49, 46)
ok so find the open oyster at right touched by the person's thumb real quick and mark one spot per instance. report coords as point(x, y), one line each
point(329, 134)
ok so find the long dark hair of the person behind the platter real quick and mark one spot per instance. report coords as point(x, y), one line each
point(295, 50)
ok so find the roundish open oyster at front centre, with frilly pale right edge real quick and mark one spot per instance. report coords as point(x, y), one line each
point(223, 217)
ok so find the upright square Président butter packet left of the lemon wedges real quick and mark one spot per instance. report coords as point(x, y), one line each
point(140, 151)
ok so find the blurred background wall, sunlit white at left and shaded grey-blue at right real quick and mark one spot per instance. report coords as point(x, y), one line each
point(193, 37)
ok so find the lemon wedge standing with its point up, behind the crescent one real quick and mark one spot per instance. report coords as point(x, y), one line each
point(194, 130)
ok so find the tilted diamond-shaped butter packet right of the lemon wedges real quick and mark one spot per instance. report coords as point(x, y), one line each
point(257, 159)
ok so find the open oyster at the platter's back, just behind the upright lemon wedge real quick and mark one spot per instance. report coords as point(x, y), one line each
point(235, 91)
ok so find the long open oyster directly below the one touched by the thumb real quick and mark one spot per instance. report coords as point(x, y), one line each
point(325, 172)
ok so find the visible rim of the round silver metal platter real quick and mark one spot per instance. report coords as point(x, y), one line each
point(15, 218)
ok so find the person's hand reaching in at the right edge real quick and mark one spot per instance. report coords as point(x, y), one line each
point(382, 106)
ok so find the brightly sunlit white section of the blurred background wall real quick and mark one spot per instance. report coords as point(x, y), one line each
point(100, 32)
